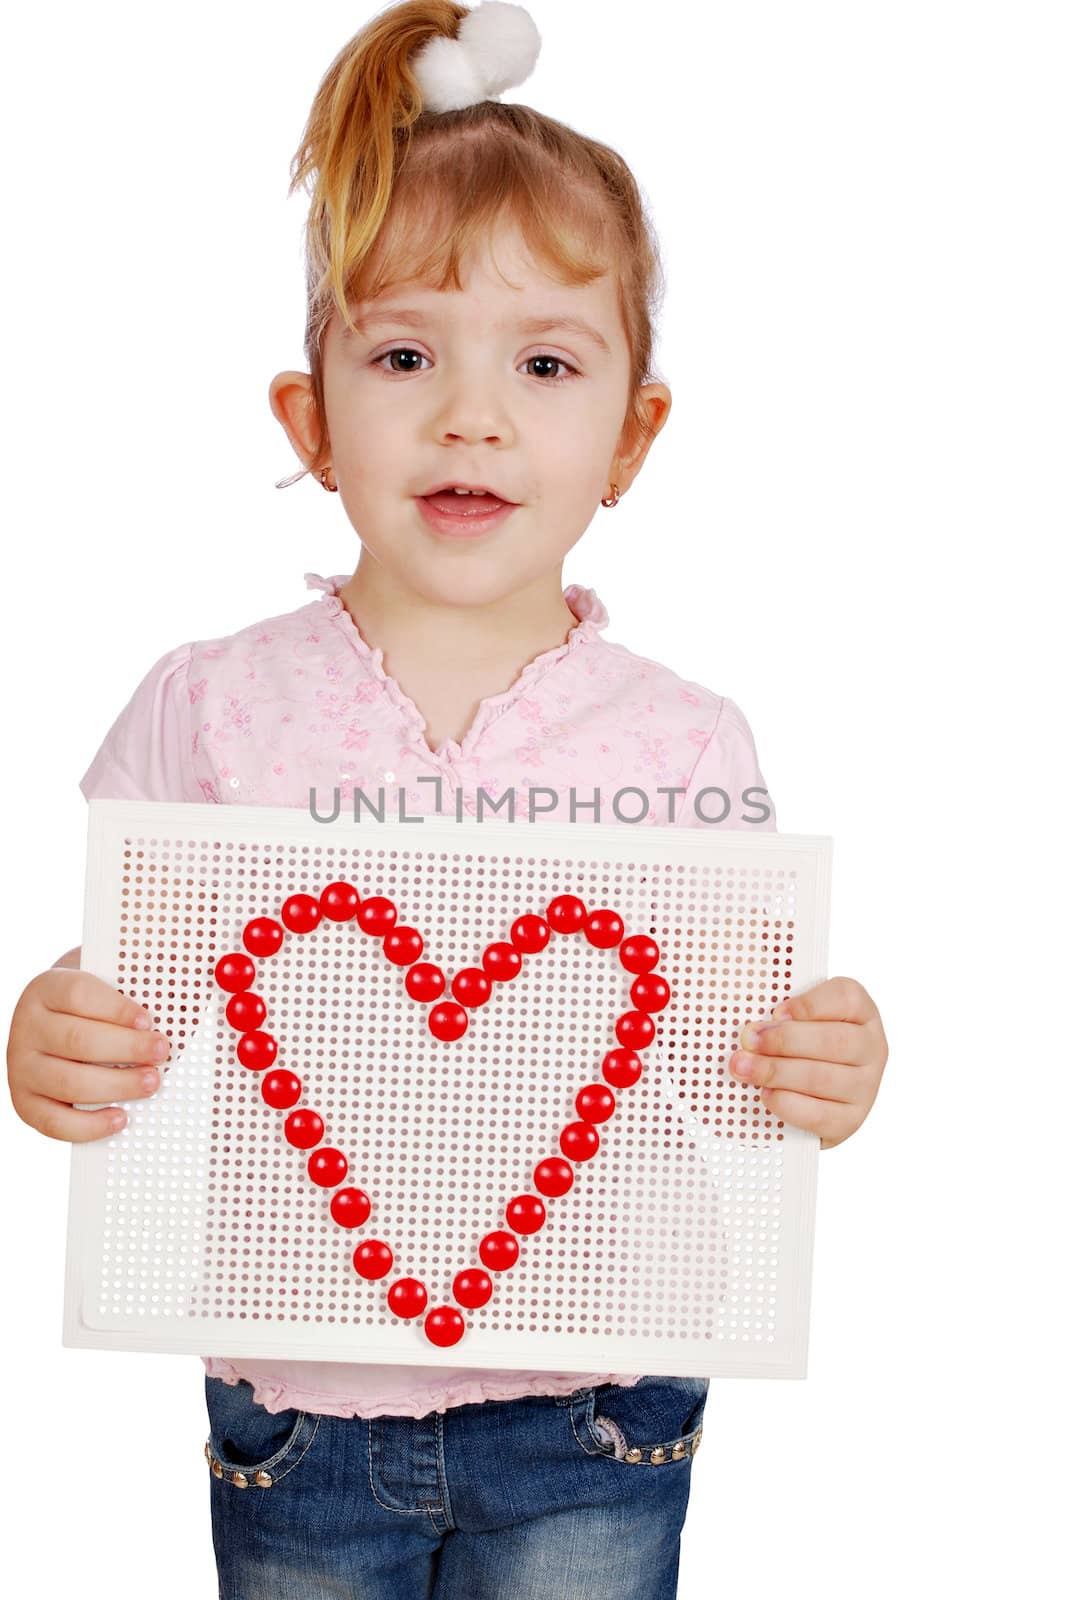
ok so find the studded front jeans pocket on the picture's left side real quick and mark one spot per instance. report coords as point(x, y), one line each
point(249, 1446)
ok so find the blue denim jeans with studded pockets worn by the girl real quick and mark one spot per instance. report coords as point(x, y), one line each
point(545, 1498)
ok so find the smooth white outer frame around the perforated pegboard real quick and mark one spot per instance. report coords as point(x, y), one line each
point(113, 822)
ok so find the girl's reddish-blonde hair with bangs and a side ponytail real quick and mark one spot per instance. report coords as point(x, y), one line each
point(403, 193)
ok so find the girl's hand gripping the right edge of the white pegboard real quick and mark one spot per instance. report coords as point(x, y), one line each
point(822, 1065)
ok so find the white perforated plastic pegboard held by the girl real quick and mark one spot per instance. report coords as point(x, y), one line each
point(686, 1242)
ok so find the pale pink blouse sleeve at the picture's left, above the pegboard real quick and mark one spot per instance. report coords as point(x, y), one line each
point(148, 753)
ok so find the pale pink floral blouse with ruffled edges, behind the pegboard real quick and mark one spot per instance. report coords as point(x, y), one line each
point(300, 702)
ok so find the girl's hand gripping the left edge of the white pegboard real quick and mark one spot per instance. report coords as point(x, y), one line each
point(63, 1025)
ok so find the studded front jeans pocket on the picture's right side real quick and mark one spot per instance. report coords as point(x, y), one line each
point(654, 1423)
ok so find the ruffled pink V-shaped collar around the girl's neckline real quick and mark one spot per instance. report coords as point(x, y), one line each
point(585, 604)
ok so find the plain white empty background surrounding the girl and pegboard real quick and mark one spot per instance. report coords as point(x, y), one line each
point(854, 526)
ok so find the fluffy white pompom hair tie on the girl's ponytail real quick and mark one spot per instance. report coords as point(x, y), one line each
point(495, 50)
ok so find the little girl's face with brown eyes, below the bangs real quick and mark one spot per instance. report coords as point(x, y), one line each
point(451, 386)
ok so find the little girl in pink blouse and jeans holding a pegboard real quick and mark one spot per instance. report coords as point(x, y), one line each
point(479, 337)
